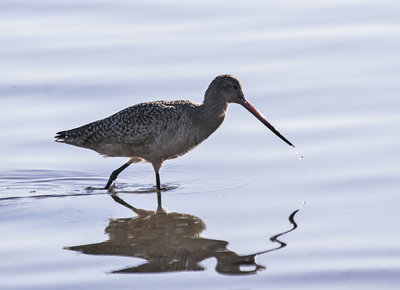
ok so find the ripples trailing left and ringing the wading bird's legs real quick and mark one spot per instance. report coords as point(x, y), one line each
point(23, 184)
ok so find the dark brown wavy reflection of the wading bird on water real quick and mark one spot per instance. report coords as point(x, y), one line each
point(170, 242)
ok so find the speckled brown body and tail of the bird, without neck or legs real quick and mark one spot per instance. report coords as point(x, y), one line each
point(138, 131)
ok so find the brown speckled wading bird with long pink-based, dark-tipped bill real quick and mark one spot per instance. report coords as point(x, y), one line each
point(157, 131)
